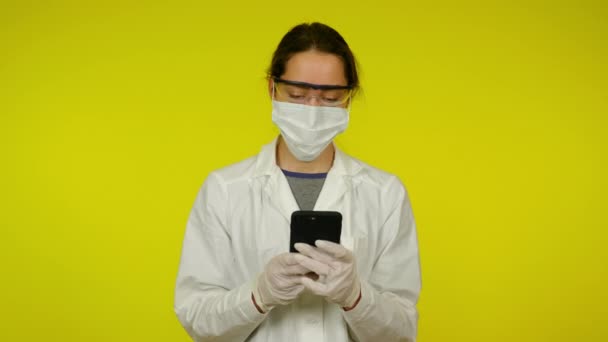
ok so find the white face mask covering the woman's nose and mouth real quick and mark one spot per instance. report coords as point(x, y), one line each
point(307, 130)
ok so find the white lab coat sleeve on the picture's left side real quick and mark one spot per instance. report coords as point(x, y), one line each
point(207, 305)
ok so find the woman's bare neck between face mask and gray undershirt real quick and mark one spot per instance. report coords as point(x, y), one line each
point(286, 160)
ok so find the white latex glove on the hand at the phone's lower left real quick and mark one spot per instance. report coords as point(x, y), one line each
point(280, 282)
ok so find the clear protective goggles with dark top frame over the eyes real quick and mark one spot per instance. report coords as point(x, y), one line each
point(302, 92)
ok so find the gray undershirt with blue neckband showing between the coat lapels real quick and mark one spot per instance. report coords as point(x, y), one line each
point(305, 187)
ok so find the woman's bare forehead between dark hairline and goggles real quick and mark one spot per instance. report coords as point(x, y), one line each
point(315, 67)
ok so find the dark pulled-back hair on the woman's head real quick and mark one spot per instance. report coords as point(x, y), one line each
point(314, 36)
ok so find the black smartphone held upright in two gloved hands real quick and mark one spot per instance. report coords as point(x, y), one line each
point(309, 226)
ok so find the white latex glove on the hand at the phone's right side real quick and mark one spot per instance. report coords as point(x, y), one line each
point(338, 280)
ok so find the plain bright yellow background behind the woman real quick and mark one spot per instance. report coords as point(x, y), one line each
point(493, 113)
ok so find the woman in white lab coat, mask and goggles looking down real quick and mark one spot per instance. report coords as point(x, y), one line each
point(237, 281)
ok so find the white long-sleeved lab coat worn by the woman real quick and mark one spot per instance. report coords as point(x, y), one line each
point(240, 219)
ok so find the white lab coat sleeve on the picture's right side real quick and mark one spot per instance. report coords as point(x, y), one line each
point(387, 309)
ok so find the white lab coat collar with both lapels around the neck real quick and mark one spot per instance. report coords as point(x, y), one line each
point(276, 187)
